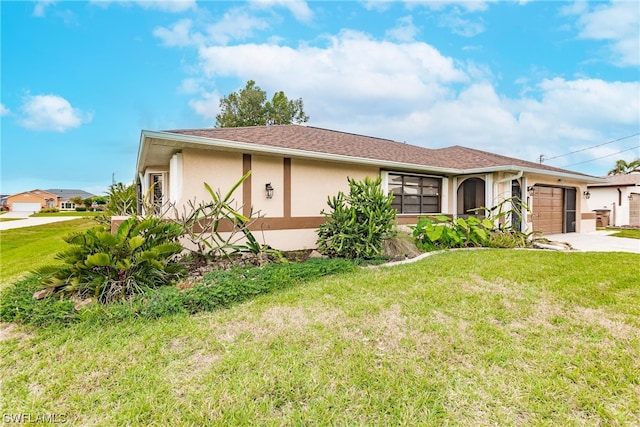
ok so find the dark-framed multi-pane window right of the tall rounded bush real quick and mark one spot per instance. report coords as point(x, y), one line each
point(414, 194)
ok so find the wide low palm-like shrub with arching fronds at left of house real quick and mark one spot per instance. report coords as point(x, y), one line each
point(110, 267)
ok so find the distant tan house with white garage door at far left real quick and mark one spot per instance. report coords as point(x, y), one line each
point(35, 200)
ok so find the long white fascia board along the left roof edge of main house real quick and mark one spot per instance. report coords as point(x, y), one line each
point(289, 152)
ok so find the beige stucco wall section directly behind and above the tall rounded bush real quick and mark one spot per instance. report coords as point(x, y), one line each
point(313, 181)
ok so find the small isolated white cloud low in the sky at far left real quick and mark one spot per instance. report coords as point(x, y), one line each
point(51, 112)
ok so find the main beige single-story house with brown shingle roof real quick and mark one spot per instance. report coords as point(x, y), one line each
point(305, 165)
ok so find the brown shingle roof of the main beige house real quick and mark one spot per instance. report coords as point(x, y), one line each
point(327, 141)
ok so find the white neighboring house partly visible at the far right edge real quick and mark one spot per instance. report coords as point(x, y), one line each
point(616, 201)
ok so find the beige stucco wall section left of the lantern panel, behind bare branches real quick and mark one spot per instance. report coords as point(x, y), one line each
point(221, 170)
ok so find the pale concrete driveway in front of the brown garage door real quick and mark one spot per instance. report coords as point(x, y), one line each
point(597, 241)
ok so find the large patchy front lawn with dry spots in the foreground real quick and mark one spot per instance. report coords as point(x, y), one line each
point(484, 337)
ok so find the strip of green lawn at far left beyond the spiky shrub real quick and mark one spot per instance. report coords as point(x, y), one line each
point(23, 249)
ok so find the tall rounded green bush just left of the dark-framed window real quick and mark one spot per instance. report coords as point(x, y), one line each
point(358, 222)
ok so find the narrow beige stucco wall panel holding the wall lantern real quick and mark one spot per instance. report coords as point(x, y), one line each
point(265, 169)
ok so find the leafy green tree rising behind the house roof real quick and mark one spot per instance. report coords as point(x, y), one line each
point(249, 107)
